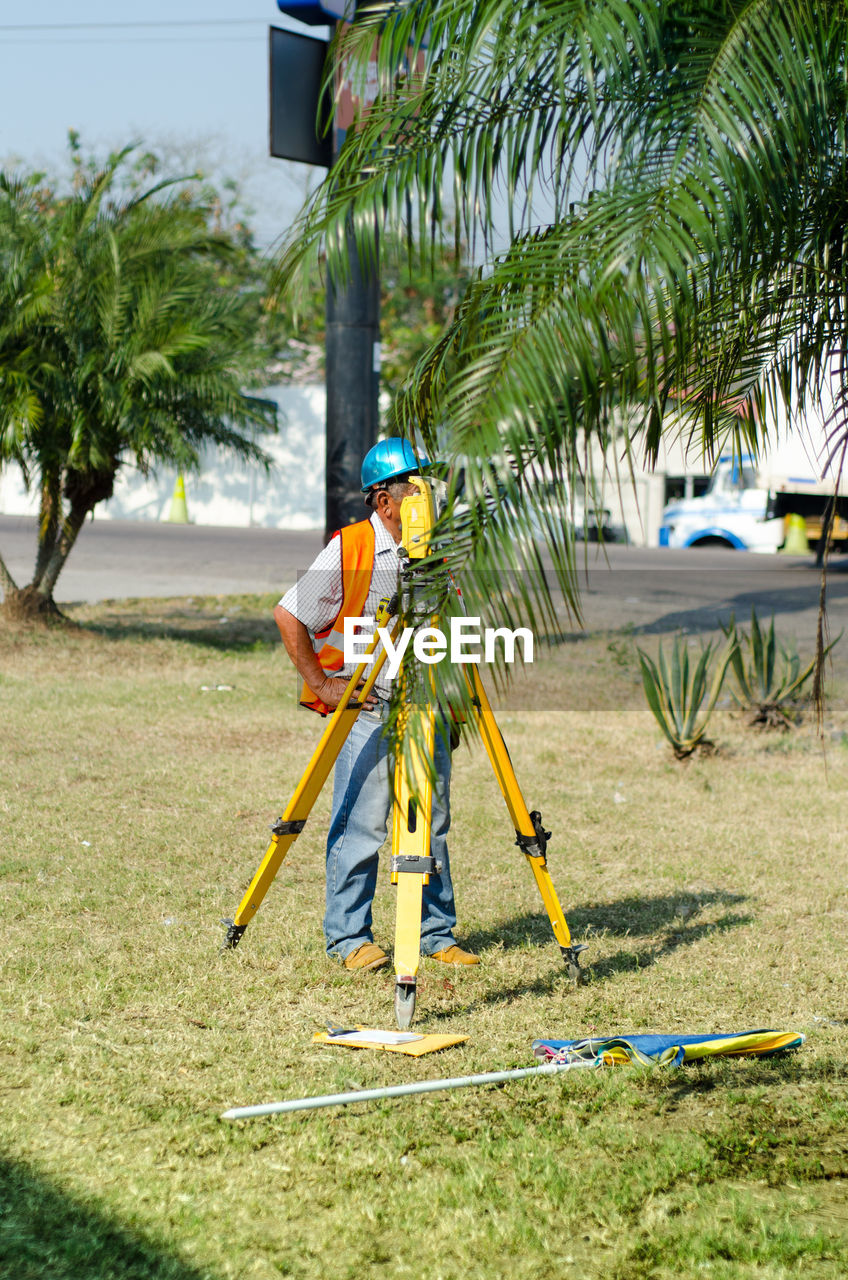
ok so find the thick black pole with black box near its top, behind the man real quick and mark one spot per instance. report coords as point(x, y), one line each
point(353, 299)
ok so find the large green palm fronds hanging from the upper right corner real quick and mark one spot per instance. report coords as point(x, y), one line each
point(676, 182)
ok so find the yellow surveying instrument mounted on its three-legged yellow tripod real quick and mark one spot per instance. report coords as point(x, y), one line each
point(412, 863)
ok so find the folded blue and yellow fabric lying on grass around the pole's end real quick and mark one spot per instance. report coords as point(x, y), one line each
point(668, 1050)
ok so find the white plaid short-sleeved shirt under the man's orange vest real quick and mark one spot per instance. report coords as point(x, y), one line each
point(317, 597)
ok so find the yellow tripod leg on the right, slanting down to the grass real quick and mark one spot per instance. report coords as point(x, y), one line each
point(531, 836)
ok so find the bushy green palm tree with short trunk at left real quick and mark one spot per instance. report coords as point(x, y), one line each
point(122, 342)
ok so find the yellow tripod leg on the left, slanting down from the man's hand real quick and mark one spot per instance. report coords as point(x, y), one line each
point(289, 828)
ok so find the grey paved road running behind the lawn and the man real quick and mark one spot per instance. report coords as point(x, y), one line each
point(650, 589)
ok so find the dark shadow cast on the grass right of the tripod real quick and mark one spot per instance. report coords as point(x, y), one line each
point(671, 922)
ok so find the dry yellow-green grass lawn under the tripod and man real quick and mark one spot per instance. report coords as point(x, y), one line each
point(135, 807)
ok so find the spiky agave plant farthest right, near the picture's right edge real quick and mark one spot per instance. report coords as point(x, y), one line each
point(769, 678)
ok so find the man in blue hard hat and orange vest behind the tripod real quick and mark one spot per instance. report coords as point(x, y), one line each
point(355, 572)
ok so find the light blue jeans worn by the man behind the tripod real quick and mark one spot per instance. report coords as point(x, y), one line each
point(359, 824)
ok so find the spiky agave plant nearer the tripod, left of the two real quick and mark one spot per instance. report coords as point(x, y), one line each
point(683, 698)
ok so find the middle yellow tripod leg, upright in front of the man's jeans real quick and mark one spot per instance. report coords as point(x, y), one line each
point(412, 862)
